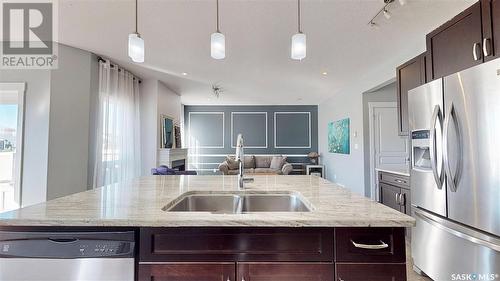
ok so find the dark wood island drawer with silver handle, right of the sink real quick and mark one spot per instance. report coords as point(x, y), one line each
point(370, 244)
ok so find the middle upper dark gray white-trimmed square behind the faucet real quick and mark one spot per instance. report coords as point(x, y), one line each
point(253, 126)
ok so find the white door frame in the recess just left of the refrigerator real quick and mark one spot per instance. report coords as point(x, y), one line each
point(374, 195)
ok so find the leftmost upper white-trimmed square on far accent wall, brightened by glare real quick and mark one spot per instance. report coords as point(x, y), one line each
point(206, 129)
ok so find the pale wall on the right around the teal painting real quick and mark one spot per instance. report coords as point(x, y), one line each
point(348, 170)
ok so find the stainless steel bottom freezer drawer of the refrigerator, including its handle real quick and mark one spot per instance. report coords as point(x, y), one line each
point(443, 249)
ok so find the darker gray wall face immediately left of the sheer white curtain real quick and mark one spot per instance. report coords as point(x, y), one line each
point(69, 123)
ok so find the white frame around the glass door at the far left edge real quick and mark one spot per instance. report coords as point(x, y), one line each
point(20, 88)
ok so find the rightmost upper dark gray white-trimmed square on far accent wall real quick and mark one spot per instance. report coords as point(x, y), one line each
point(292, 129)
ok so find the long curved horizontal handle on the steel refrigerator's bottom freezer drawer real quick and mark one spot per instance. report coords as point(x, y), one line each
point(457, 230)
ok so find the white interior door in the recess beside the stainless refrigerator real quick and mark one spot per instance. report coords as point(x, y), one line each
point(388, 150)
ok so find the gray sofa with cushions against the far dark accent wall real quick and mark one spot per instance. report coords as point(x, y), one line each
point(257, 165)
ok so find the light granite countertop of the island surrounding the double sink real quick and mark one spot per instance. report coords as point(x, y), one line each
point(140, 202)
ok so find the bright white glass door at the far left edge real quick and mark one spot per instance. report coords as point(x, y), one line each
point(11, 136)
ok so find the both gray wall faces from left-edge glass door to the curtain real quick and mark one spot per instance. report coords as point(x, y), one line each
point(56, 128)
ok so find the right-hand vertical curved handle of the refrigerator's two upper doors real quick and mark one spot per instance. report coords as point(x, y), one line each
point(453, 179)
